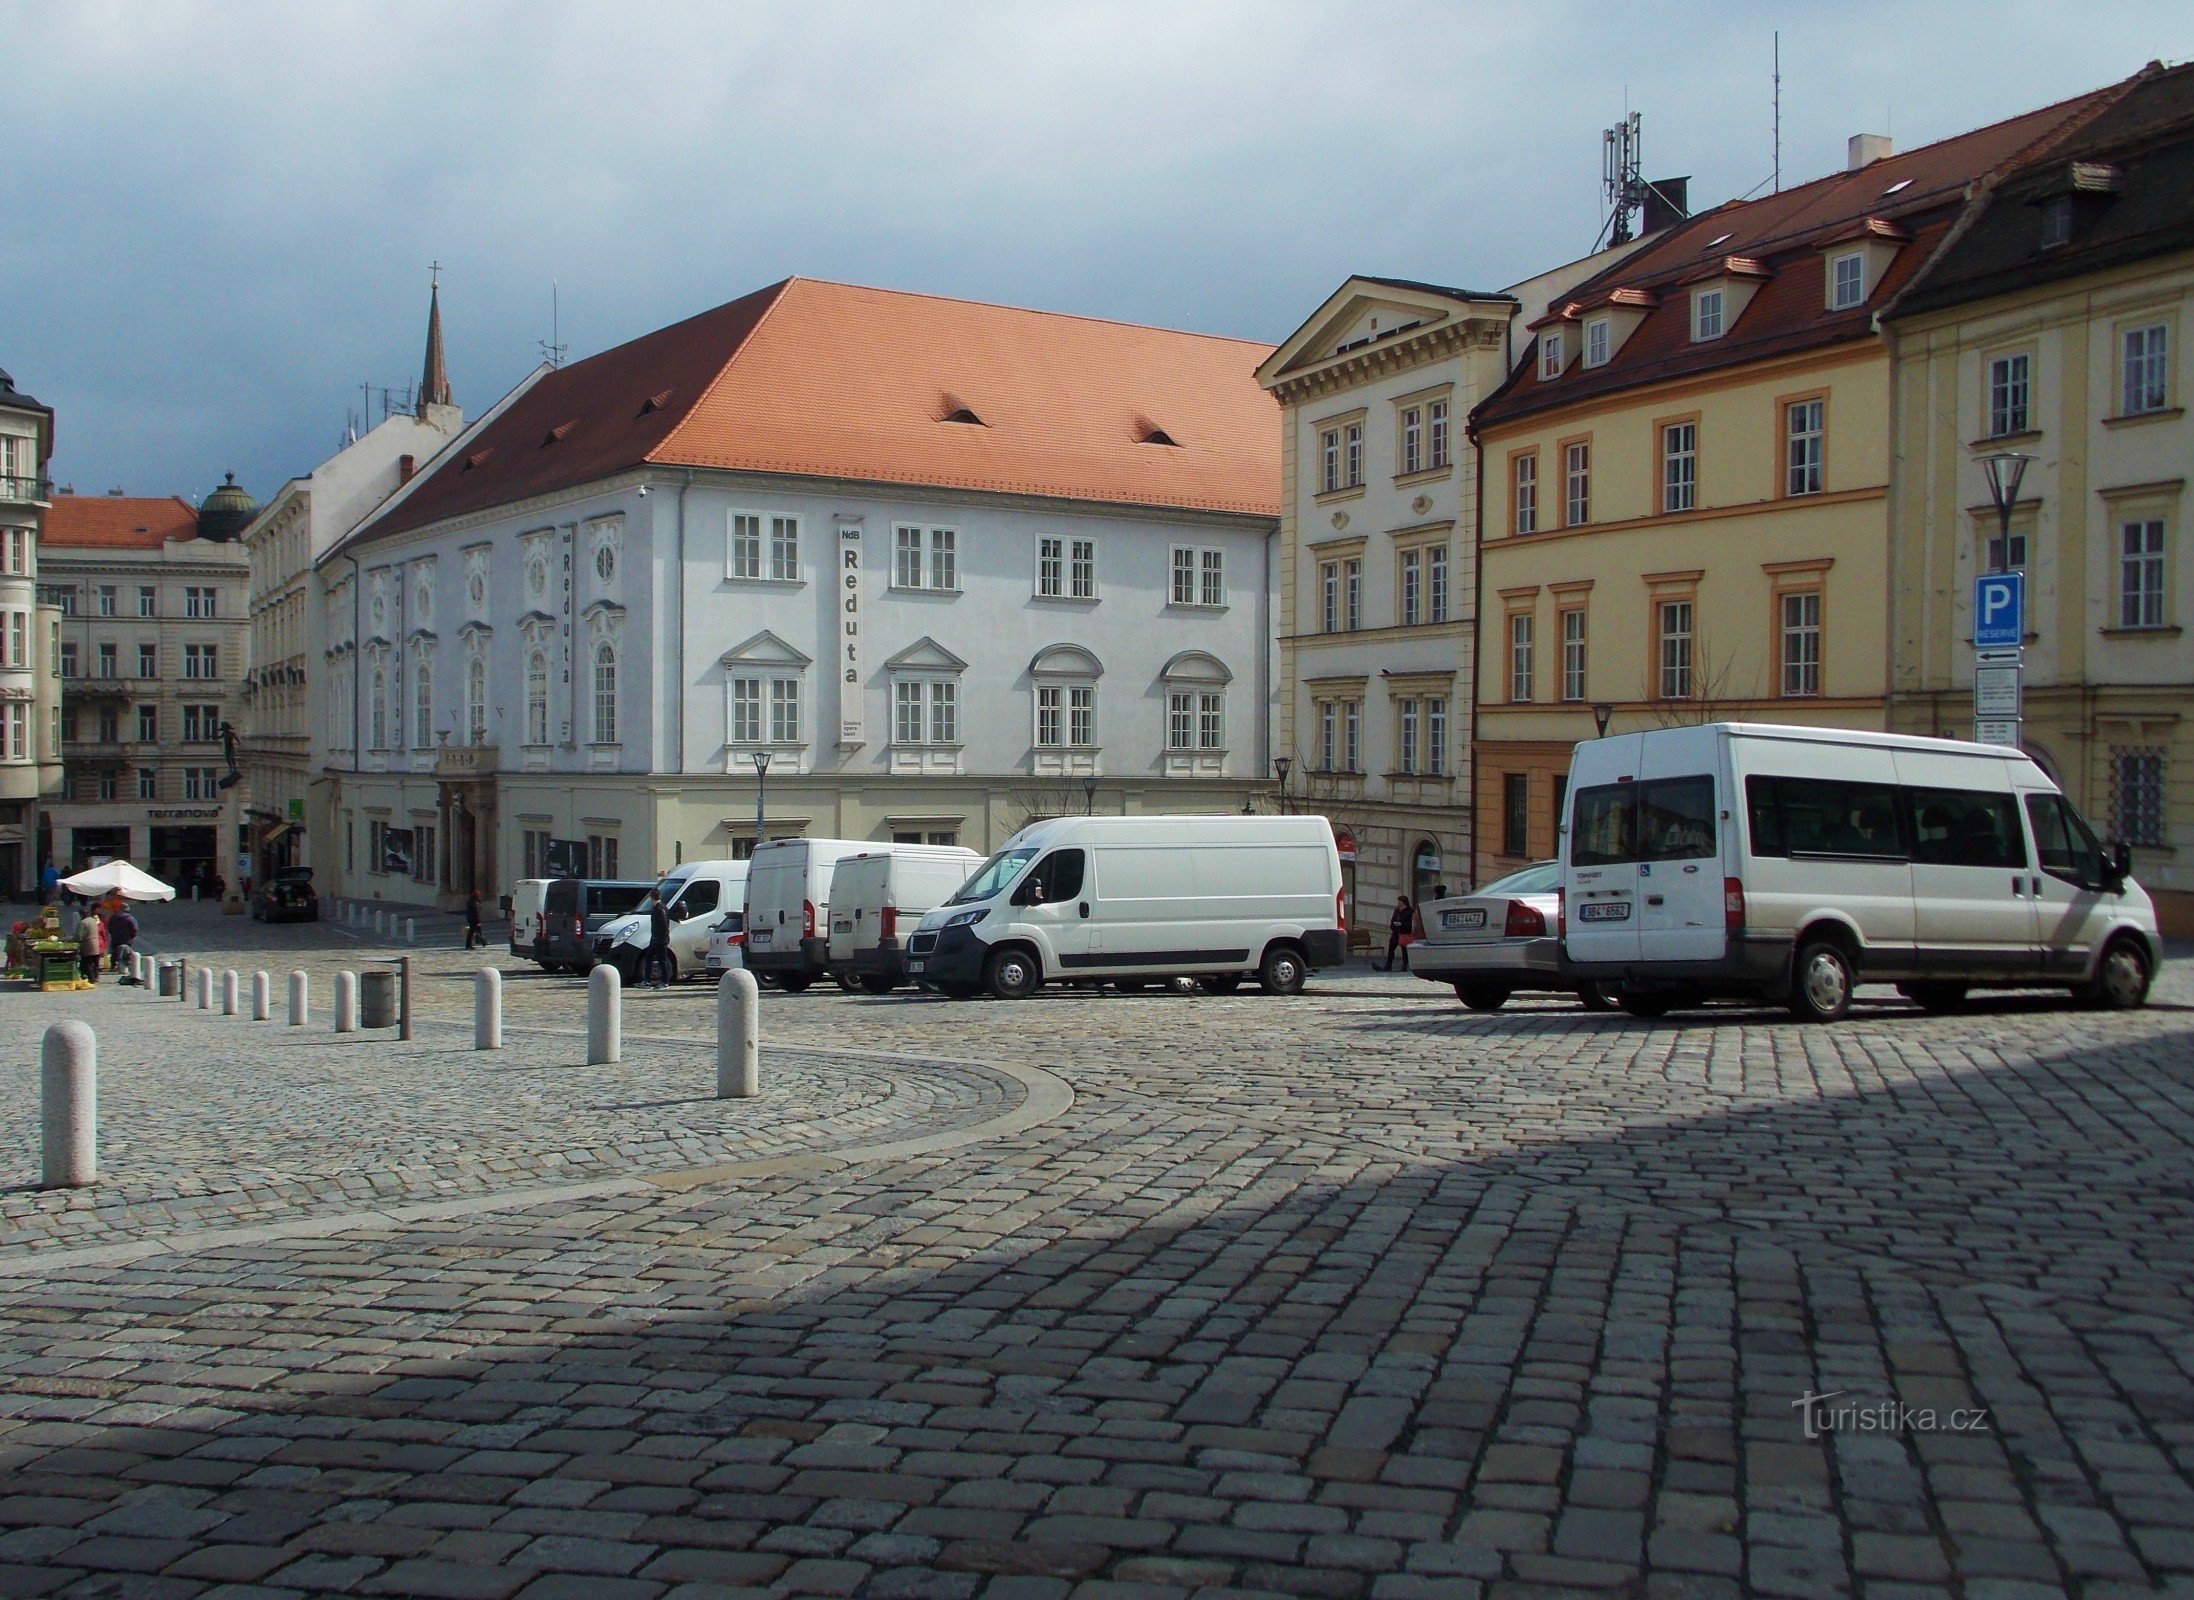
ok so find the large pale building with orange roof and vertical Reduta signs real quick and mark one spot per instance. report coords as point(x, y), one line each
point(945, 567)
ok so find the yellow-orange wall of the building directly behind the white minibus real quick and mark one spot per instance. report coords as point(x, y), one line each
point(1734, 554)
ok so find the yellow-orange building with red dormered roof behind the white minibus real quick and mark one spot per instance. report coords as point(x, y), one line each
point(1686, 506)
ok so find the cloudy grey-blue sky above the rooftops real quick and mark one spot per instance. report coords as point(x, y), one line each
point(223, 216)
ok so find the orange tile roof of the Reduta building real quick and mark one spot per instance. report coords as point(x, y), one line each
point(850, 383)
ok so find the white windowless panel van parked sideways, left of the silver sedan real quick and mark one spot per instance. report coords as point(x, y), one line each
point(1135, 899)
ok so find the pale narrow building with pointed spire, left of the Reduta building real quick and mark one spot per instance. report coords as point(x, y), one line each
point(297, 528)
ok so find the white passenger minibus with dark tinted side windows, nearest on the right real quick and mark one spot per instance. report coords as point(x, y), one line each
point(1798, 864)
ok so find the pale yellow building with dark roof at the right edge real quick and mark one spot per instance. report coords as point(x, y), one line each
point(2055, 330)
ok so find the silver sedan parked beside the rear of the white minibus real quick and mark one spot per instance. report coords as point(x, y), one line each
point(1502, 940)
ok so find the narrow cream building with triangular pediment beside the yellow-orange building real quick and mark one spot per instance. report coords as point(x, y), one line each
point(1379, 574)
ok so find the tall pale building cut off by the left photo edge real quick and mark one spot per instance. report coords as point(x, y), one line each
point(30, 642)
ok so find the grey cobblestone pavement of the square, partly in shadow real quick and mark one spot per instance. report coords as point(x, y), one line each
point(1346, 1296)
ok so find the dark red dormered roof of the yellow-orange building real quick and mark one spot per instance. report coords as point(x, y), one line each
point(1916, 194)
